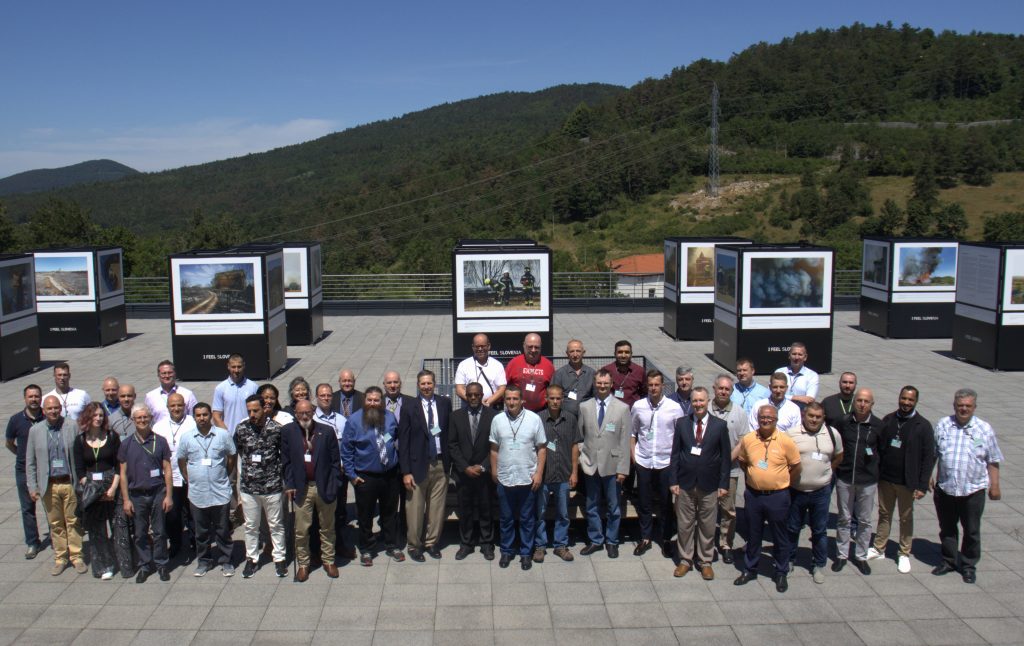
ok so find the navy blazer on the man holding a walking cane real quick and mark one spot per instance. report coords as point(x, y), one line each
point(327, 461)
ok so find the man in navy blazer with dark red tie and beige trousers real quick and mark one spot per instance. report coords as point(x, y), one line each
point(701, 465)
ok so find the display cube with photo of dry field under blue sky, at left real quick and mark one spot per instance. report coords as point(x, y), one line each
point(80, 297)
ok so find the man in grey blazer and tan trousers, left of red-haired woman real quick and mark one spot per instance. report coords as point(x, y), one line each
point(51, 473)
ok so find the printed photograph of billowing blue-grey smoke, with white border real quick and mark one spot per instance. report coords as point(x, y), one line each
point(788, 283)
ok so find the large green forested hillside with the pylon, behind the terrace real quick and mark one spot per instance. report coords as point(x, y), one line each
point(576, 160)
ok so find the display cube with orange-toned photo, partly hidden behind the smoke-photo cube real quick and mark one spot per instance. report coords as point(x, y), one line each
point(690, 286)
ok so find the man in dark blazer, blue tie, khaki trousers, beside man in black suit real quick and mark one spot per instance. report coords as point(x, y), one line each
point(423, 459)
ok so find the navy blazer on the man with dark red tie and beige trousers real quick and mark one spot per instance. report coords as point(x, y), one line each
point(710, 470)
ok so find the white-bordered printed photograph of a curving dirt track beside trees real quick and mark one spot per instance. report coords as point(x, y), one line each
point(214, 289)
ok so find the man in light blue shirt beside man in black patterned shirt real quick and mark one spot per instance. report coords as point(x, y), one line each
point(206, 457)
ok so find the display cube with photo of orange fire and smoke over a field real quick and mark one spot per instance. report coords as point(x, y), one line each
point(909, 287)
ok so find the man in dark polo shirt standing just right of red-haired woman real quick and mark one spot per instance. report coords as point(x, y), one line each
point(146, 489)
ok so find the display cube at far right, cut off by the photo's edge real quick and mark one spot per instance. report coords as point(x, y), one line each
point(989, 319)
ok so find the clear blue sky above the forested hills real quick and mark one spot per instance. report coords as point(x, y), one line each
point(161, 85)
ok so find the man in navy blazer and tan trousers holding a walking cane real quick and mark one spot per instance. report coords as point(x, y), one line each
point(312, 463)
